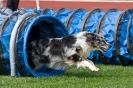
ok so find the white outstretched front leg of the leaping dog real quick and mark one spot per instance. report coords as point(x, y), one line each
point(87, 63)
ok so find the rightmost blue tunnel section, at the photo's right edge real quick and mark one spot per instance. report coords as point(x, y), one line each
point(123, 27)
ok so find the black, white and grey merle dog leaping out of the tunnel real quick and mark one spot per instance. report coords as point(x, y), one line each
point(60, 53)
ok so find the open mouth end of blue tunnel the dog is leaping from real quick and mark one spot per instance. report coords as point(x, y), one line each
point(20, 29)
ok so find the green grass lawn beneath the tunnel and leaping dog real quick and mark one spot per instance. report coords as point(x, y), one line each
point(109, 76)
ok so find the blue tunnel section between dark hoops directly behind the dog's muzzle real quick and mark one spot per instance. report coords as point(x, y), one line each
point(107, 29)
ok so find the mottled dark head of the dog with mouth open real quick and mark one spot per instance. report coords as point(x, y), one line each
point(96, 41)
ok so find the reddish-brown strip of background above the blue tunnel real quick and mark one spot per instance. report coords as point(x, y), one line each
point(73, 4)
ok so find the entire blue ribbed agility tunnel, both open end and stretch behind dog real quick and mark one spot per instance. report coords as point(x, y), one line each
point(20, 27)
